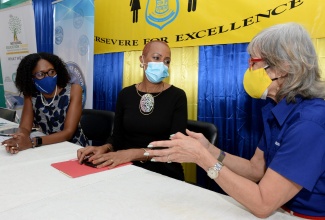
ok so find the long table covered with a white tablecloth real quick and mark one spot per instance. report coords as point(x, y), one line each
point(32, 189)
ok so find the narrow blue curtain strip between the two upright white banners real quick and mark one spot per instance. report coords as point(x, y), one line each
point(43, 12)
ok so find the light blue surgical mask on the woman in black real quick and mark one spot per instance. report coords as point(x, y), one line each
point(156, 72)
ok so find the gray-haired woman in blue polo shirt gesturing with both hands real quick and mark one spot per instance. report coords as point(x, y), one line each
point(288, 167)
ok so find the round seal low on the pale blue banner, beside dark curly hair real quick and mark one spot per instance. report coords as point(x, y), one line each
point(77, 77)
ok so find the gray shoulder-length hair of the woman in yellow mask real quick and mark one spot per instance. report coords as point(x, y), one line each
point(287, 48)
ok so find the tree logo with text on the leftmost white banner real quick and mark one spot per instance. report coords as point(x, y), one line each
point(16, 46)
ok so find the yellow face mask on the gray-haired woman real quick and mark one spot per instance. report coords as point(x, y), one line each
point(256, 83)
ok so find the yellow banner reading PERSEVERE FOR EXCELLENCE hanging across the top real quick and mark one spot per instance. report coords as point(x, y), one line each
point(129, 25)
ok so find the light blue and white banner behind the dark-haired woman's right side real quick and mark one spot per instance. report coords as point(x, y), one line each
point(73, 34)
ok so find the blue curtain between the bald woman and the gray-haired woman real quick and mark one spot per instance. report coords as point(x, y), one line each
point(223, 101)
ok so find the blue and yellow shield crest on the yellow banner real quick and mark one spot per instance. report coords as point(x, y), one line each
point(160, 13)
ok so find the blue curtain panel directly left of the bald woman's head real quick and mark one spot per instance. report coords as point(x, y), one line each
point(108, 79)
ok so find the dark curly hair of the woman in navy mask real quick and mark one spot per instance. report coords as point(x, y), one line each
point(24, 78)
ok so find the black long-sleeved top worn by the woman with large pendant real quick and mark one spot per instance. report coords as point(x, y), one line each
point(132, 129)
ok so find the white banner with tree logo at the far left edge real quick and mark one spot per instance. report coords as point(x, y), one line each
point(17, 40)
